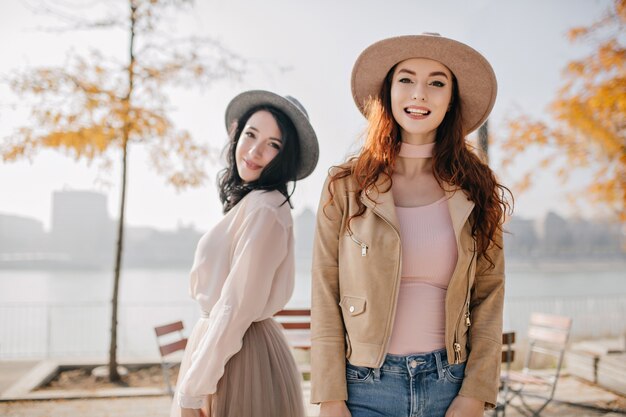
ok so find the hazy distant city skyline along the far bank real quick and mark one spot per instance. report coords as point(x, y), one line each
point(83, 236)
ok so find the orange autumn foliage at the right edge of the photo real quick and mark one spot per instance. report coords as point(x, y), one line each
point(589, 116)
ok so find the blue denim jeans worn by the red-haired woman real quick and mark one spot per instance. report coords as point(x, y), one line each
point(420, 385)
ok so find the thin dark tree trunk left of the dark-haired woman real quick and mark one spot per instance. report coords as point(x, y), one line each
point(113, 374)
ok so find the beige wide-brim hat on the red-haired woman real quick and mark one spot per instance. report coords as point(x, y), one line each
point(476, 80)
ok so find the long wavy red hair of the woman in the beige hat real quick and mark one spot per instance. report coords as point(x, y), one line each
point(454, 162)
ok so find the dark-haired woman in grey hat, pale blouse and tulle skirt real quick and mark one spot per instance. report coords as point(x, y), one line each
point(237, 362)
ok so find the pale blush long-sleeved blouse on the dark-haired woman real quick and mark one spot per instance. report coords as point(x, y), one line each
point(243, 272)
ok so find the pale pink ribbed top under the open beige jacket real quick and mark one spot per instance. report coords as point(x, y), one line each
point(429, 256)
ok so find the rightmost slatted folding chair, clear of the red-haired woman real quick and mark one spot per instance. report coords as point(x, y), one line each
point(547, 338)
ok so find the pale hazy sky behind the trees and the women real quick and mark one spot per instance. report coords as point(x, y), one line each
point(304, 49)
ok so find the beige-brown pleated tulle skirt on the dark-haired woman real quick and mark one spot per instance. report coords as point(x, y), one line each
point(261, 380)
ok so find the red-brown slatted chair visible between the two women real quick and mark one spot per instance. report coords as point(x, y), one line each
point(296, 324)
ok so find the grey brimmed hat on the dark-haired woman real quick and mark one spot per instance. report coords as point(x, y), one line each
point(309, 148)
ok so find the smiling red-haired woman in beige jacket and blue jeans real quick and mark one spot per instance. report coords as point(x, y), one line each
point(408, 269)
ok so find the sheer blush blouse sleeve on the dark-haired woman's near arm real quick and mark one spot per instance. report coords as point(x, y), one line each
point(260, 247)
